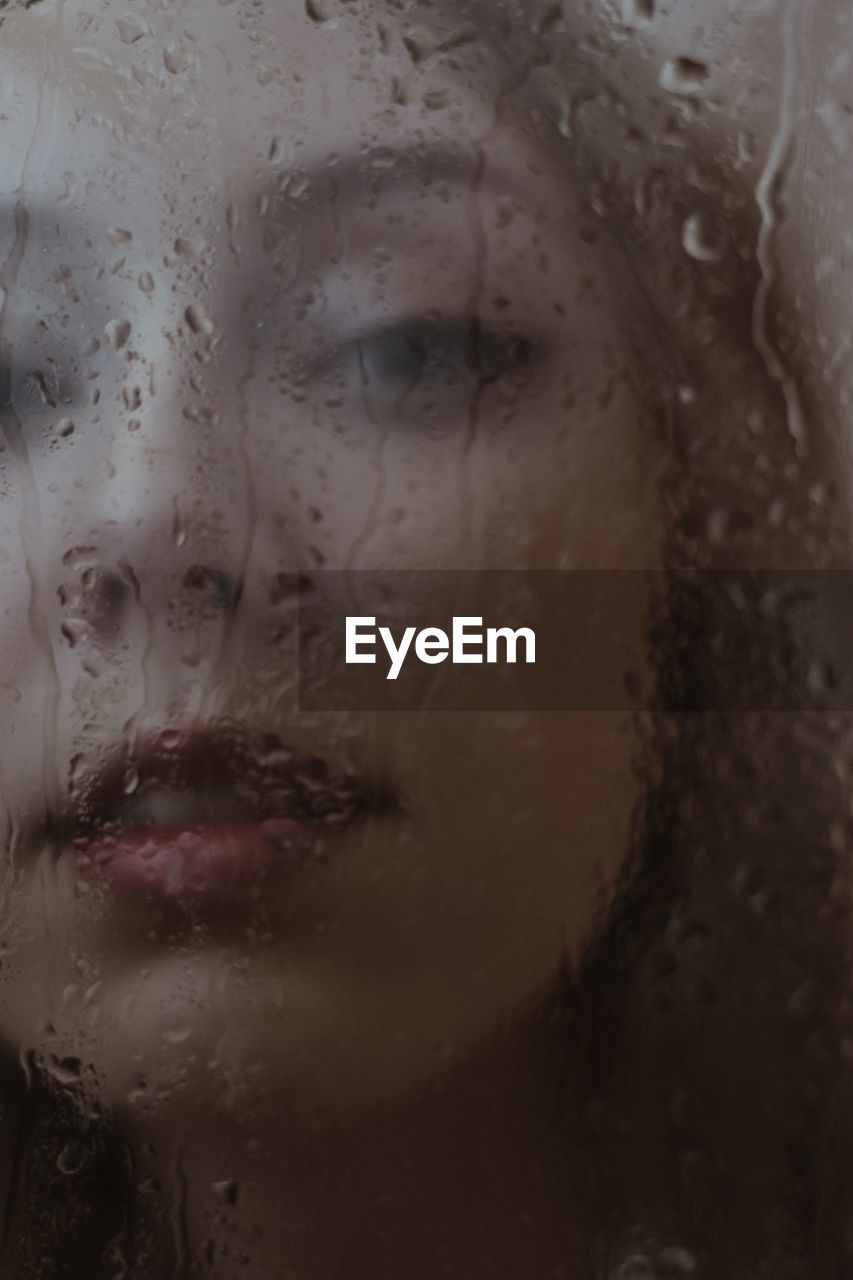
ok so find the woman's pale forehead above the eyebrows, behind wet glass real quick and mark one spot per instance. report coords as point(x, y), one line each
point(254, 83)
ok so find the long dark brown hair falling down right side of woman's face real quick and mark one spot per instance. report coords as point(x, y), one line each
point(714, 1009)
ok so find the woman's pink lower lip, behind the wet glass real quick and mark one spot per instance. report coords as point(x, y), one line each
point(212, 862)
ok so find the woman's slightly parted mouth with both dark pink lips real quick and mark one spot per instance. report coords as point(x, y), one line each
point(213, 816)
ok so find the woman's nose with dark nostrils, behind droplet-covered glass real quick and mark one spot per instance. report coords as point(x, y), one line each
point(175, 529)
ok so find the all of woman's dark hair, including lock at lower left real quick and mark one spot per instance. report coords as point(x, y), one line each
point(701, 1045)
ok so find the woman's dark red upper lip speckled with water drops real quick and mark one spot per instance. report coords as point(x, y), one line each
point(184, 778)
